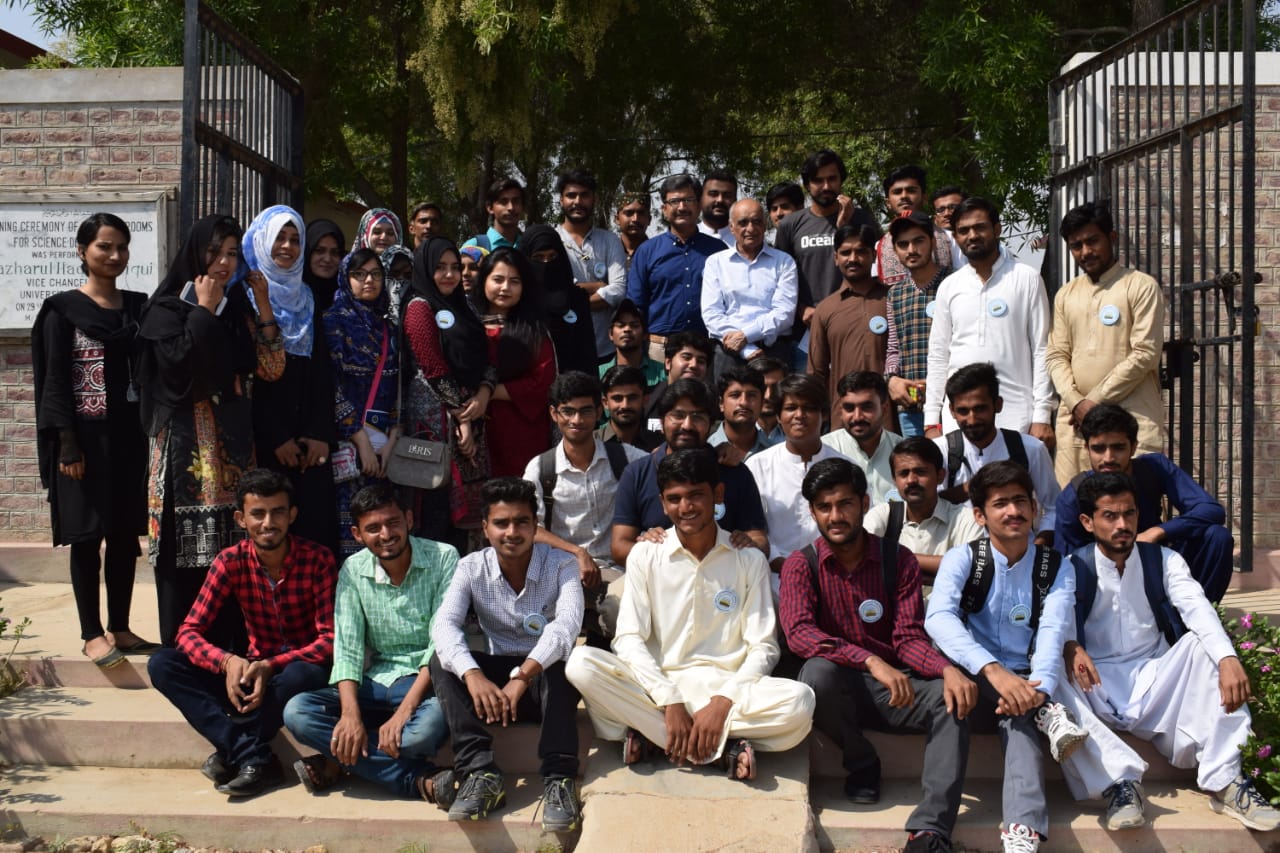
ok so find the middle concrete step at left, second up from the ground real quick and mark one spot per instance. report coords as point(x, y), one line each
point(109, 728)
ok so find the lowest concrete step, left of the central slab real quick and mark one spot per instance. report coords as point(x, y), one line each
point(358, 818)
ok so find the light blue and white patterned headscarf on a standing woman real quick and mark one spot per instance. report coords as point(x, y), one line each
point(292, 302)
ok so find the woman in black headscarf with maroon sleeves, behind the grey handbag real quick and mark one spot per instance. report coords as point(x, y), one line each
point(450, 377)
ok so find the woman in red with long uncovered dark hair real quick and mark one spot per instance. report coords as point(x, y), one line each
point(511, 308)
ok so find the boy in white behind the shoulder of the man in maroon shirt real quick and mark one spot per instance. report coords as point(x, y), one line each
point(780, 471)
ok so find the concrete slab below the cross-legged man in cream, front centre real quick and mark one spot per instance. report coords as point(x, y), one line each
point(655, 806)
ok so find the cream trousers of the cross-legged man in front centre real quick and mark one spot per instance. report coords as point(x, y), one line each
point(774, 714)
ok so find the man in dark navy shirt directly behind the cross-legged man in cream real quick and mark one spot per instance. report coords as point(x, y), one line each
point(685, 410)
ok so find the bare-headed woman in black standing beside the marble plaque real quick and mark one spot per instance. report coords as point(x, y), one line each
point(93, 450)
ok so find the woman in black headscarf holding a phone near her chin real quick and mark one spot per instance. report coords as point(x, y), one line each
point(199, 358)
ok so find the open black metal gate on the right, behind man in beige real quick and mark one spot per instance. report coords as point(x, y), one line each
point(1163, 126)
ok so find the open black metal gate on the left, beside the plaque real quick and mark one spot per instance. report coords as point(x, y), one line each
point(243, 125)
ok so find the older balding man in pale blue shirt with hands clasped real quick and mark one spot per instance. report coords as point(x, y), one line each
point(749, 293)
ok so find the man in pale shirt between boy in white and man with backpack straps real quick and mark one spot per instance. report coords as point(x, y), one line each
point(861, 435)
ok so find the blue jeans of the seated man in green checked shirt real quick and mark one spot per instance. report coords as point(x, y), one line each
point(312, 719)
